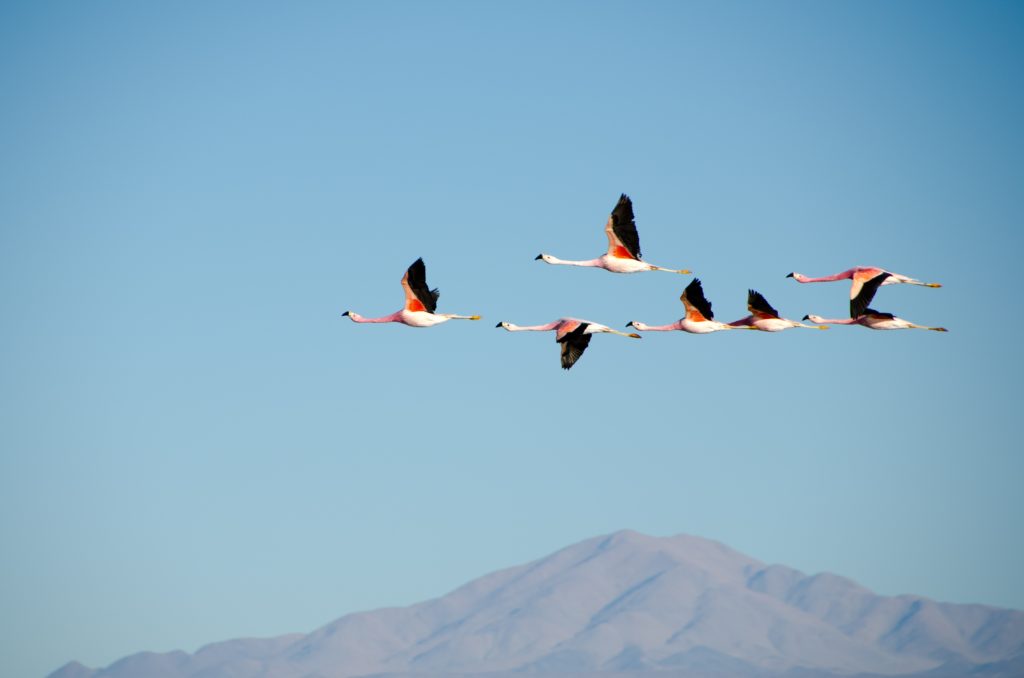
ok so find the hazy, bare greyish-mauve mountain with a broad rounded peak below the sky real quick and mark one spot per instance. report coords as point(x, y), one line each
point(628, 606)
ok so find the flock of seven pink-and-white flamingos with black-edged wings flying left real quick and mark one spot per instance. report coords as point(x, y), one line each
point(623, 257)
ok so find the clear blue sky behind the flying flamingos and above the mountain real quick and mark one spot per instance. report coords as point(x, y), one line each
point(196, 446)
